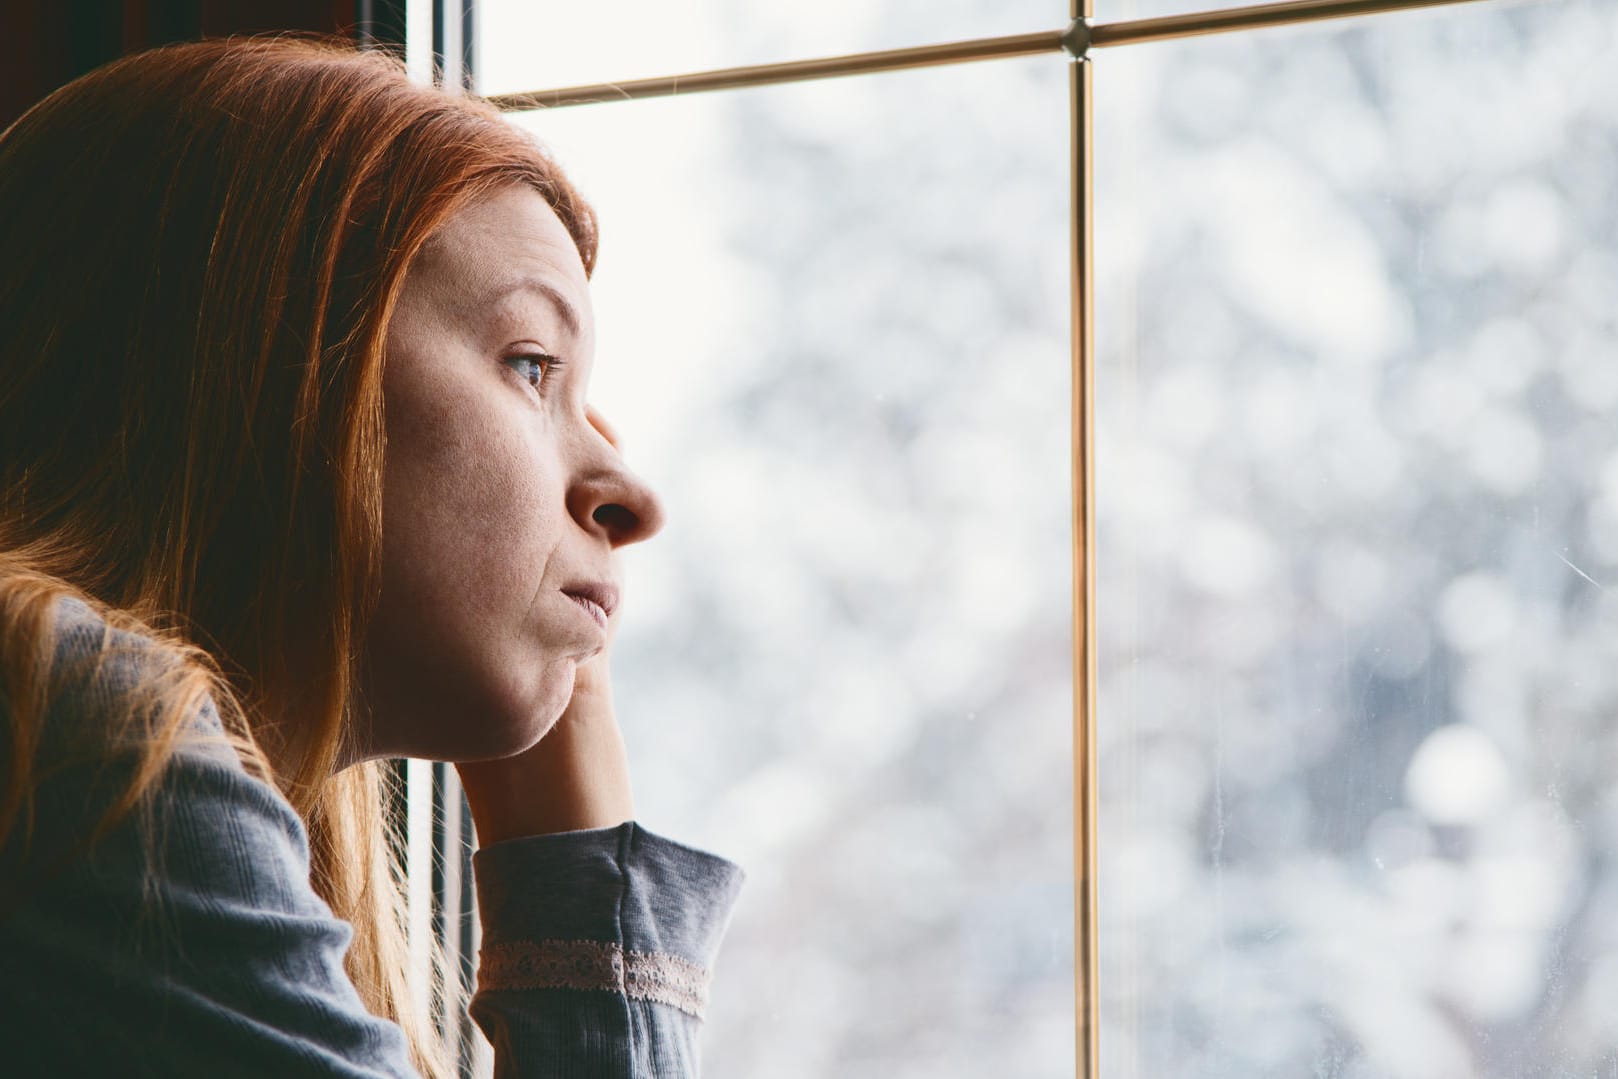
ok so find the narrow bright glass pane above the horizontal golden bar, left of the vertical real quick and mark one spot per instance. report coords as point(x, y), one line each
point(546, 44)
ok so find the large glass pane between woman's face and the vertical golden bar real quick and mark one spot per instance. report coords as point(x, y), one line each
point(834, 334)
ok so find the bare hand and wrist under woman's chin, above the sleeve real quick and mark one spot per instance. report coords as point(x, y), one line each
point(575, 777)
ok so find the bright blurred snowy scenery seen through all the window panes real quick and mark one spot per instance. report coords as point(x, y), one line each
point(1358, 512)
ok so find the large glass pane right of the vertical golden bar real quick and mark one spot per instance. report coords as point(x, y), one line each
point(1358, 549)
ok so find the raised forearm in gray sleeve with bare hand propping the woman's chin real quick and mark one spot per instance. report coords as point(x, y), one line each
point(599, 937)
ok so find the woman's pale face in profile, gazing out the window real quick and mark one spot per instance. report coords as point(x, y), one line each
point(504, 491)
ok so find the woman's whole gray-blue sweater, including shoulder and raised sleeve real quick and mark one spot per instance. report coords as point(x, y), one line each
point(595, 963)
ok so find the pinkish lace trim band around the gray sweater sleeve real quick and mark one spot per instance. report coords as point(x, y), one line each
point(654, 976)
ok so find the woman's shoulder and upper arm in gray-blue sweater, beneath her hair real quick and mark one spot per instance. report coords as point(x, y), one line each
point(198, 941)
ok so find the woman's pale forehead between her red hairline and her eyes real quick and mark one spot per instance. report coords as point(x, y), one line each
point(502, 252)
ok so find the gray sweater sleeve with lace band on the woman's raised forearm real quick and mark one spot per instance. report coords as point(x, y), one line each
point(598, 952)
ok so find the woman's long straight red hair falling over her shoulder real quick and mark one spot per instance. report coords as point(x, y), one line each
point(200, 252)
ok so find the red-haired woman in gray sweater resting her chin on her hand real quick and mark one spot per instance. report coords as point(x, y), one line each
point(297, 475)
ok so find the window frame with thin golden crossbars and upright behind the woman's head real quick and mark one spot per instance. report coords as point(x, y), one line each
point(430, 806)
